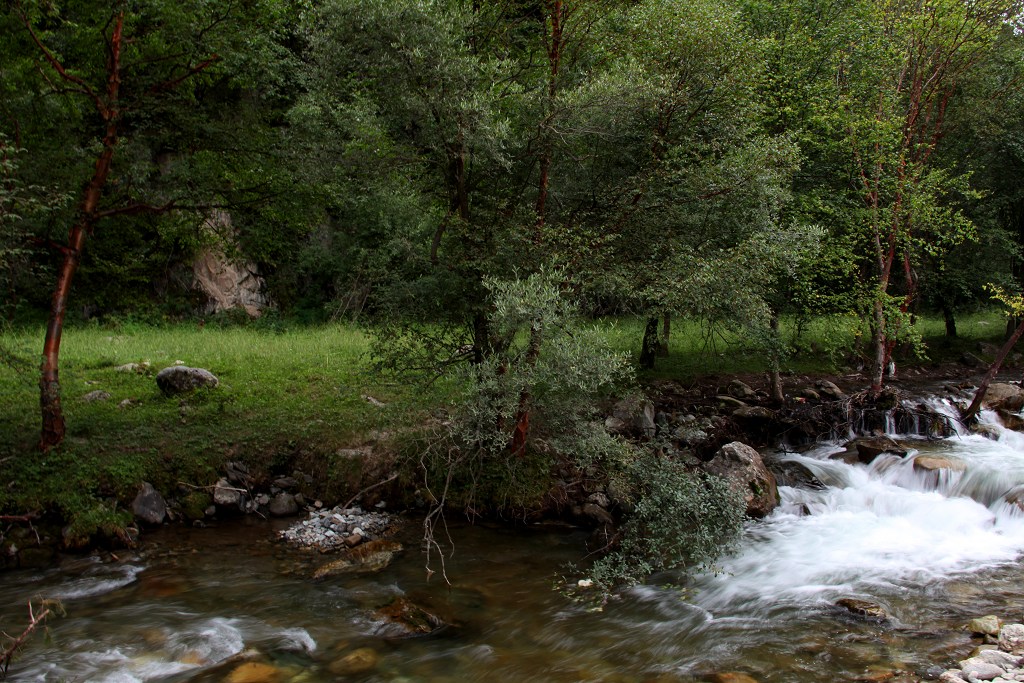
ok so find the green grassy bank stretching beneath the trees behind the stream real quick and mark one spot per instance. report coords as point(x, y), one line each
point(287, 397)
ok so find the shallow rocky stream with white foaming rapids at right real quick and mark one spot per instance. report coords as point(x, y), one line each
point(935, 549)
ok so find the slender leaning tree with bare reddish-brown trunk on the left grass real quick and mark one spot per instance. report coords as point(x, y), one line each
point(121, 66)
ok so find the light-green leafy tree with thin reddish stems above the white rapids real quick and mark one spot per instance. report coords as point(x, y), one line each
point(897, 83)
